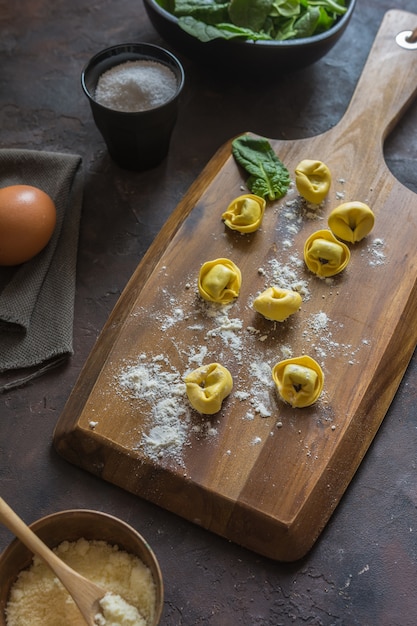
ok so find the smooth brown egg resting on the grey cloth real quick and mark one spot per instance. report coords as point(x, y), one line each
point(27, 221)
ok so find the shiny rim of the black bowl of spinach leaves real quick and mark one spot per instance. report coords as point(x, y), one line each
point(288, 43)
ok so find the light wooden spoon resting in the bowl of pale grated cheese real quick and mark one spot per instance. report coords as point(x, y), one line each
point(85, 593)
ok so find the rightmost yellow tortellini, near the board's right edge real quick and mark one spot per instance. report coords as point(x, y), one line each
point(351, 221)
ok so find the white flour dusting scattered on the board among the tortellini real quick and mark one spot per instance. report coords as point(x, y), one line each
point(220, 333)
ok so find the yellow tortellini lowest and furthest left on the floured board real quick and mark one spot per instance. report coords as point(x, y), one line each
point(207, 387)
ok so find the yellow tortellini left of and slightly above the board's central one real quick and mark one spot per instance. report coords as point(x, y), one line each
point(219, 281)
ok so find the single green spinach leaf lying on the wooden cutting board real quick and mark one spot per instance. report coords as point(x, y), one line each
point(269, 178)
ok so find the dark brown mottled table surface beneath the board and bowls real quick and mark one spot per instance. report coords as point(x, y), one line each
point(363, 569)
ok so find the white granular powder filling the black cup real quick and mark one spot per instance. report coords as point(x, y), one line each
point(136, 86)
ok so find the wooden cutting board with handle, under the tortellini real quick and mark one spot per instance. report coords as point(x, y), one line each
point(260, 473)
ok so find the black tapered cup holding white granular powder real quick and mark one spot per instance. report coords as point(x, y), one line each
point(138, 140)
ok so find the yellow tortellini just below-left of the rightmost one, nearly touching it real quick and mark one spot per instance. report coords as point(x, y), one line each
point(324, 255)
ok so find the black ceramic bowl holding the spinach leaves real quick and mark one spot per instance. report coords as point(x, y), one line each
point(234, 54)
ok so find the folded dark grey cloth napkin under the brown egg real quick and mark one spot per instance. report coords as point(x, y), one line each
point(37, 297)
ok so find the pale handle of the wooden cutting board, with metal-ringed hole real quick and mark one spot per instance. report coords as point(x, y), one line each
point(388, 82)
